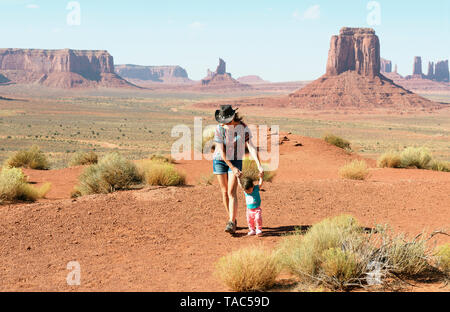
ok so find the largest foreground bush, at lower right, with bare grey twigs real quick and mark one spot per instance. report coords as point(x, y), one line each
point(338, 254)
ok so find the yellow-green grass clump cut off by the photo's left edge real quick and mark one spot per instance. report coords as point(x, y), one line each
point(14, 187)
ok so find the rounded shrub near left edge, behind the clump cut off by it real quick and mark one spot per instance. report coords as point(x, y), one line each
point(32, 158)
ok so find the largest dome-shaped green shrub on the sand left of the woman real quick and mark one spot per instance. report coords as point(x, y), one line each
point(113, 172)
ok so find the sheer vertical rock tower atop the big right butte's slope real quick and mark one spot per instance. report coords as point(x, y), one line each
point(354, 49)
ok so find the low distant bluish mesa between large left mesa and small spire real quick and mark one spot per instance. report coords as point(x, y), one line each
point(160, 74)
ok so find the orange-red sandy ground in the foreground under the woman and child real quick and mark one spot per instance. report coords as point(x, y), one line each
point(168, 239)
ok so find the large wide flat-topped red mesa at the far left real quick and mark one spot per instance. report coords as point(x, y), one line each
point(60, 68)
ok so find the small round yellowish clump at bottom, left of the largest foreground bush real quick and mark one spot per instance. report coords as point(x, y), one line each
point(248, 269)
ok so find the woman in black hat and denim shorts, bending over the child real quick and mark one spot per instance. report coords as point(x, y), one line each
point(231, 137)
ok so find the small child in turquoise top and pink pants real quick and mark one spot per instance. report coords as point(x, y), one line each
point(253, 201)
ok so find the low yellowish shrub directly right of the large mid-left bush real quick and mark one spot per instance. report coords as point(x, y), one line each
point(160, 173)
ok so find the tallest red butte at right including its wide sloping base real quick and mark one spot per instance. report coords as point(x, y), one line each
point(353, 78)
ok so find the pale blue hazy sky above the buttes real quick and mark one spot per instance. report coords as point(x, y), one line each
point(278, 40)
